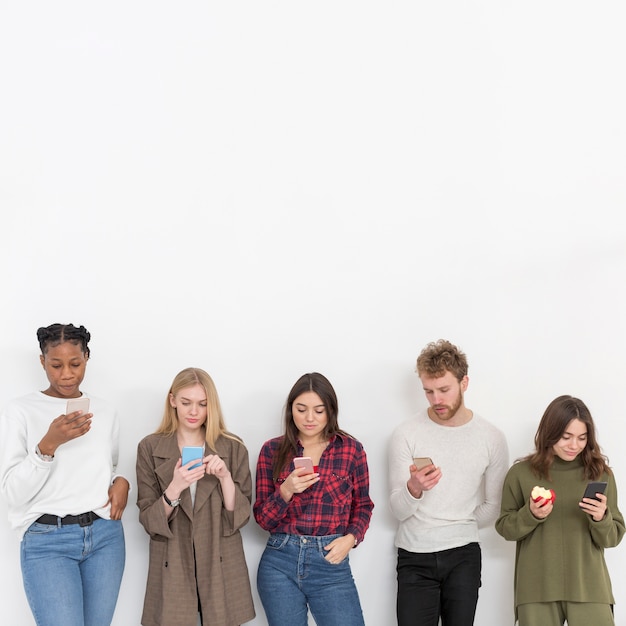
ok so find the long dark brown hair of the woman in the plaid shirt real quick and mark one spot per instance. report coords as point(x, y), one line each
point(288, 447)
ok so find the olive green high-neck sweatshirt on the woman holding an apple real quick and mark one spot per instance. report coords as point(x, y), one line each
point(562, 556)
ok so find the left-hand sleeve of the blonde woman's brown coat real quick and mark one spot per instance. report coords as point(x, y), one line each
point(151, 510)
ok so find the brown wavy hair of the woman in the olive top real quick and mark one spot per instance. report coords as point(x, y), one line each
point(559, 413)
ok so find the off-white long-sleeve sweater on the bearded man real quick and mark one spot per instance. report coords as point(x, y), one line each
point(473, 459)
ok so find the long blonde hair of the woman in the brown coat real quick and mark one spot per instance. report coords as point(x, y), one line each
point(214, 426)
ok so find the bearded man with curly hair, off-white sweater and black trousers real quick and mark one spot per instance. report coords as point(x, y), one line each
point(441, 502)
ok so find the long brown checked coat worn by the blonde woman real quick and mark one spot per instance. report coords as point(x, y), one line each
point(208, 531)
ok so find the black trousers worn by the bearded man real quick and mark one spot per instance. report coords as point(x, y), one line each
point(437, 584)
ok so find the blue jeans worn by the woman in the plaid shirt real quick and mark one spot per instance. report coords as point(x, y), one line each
point(294, 577)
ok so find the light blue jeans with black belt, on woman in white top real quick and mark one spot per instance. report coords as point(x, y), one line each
point(72, 574)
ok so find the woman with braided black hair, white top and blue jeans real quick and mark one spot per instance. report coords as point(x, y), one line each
point(57, 473)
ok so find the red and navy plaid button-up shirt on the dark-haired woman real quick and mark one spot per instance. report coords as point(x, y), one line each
point(338, 504)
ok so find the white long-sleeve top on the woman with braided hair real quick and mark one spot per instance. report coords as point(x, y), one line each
point(76, 481)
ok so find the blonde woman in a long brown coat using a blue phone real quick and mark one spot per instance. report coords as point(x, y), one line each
point(194, 511)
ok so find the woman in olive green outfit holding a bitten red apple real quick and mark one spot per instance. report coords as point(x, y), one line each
point(560, 572)
